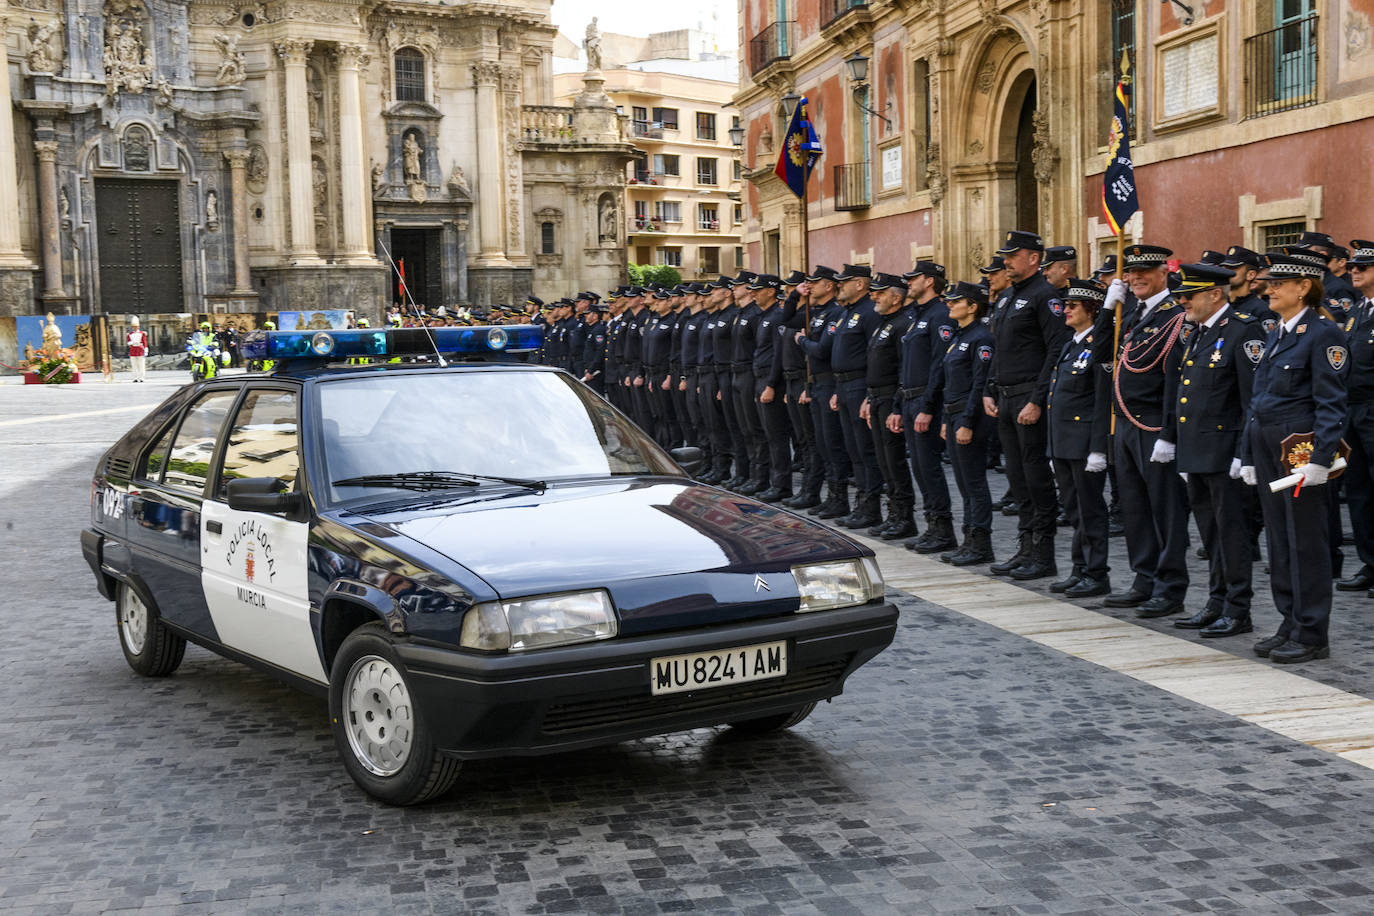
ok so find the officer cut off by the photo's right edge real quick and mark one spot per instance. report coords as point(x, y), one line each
point(1360, 425)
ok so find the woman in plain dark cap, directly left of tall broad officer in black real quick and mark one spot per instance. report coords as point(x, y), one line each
point(958, 382)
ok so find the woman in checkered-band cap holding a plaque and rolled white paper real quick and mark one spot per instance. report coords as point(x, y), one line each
point(1299, 388)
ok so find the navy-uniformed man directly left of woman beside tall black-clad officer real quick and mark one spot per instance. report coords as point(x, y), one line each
point(917, 417)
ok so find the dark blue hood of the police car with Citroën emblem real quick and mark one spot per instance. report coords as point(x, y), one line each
point(671, 553)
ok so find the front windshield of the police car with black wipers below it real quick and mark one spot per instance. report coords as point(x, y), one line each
point(537, 426)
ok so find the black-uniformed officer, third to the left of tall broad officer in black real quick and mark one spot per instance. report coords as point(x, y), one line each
point(890, 297)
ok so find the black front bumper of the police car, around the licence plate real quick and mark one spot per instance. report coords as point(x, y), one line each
point(600, 693)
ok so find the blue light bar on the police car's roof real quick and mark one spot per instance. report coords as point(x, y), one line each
point(391, 343)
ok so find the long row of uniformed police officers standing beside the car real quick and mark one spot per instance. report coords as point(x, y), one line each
point(854, 378)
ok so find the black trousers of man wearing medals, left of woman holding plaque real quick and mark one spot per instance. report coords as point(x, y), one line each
point(1219, 509)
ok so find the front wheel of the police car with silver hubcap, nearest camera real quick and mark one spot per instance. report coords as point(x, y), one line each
point(369, 696)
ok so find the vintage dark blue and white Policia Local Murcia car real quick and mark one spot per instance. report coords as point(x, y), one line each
point(471, 561)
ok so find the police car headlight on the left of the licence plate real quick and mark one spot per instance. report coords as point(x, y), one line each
point(539, 623)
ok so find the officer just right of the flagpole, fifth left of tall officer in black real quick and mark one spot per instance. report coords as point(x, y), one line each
point(818, 344)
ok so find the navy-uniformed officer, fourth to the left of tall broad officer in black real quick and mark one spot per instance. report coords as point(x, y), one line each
point(850, 360)
